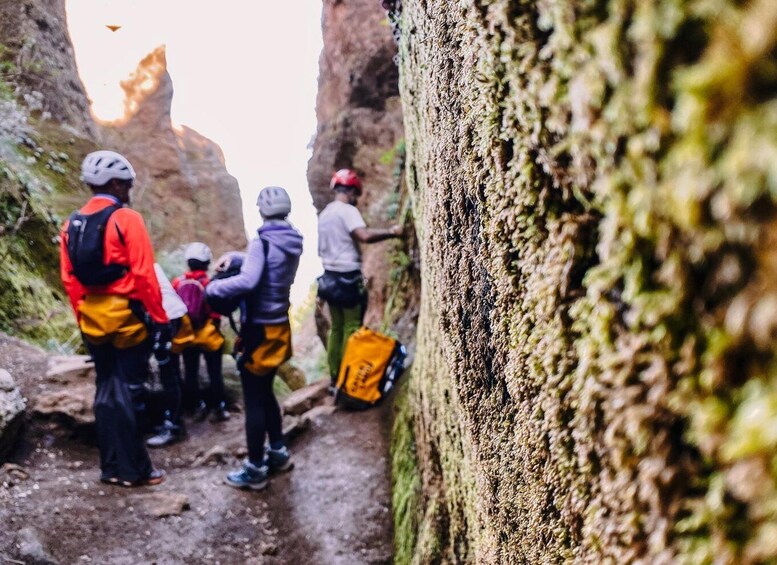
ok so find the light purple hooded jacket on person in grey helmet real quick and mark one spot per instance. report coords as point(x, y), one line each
point(268, 302)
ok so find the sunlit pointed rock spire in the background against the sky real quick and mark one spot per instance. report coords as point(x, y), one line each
point(183, 190)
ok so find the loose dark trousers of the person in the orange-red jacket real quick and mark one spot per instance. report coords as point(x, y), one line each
point(118, 404)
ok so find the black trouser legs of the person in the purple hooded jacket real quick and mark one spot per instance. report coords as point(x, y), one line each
point(262, 412)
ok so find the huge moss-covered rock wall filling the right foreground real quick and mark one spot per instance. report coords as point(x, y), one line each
point(594, 188)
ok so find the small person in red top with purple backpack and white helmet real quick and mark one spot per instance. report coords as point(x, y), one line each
point(208, 339)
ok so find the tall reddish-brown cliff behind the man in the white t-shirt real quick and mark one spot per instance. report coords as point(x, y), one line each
point(359, 125)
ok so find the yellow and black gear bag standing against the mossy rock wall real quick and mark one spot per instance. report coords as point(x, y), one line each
point(371, 365)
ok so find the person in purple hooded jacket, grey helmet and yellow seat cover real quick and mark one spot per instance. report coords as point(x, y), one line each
point(264, 281)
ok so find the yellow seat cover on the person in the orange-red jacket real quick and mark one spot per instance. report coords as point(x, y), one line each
point(108, 318)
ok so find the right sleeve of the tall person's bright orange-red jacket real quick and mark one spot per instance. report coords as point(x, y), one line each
point(141, 263)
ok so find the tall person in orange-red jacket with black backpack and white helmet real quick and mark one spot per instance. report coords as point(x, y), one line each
point(107, 269)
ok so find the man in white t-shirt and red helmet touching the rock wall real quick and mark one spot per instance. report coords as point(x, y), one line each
point(341, 229)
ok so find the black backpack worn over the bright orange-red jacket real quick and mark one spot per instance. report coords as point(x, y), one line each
point(86, 247)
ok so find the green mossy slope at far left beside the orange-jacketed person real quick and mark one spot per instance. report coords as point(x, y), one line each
point(35, 197)
